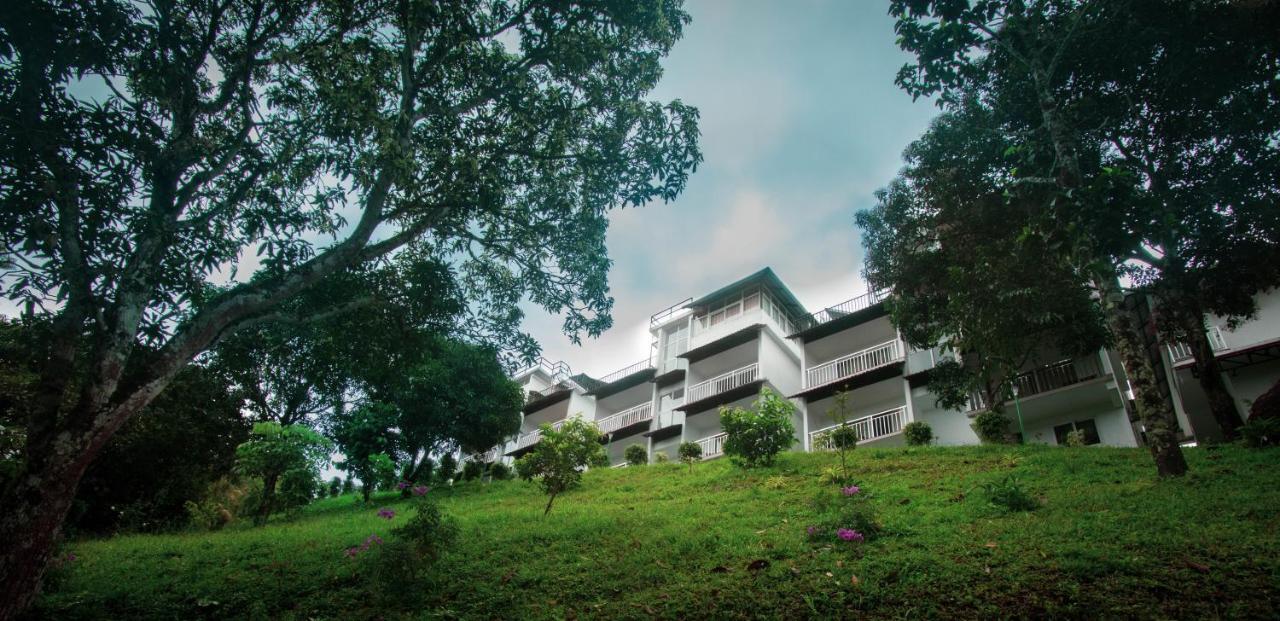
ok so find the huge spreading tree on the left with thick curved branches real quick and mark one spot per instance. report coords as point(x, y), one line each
point(304, 139)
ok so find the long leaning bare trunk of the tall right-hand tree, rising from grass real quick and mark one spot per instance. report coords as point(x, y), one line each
point(1155, 412)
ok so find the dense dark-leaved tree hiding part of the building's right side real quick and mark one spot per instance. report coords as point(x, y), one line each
point(952, 241)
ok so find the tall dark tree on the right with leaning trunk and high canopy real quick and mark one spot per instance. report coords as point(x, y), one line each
point(1036, 65)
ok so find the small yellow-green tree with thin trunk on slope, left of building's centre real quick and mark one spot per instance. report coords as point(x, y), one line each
point(560, 458)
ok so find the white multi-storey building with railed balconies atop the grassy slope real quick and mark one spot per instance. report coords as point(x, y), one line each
point(721, 349)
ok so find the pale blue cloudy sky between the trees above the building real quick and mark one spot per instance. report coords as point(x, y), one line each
point(801, 125)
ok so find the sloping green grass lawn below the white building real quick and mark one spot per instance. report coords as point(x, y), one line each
point(1109, 541)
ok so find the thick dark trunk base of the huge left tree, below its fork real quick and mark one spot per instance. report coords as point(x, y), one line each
point(35, 508)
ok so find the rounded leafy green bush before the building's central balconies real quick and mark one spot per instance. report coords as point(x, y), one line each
point(757, 436)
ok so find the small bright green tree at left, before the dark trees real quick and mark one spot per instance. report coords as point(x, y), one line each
point(276, 451)
